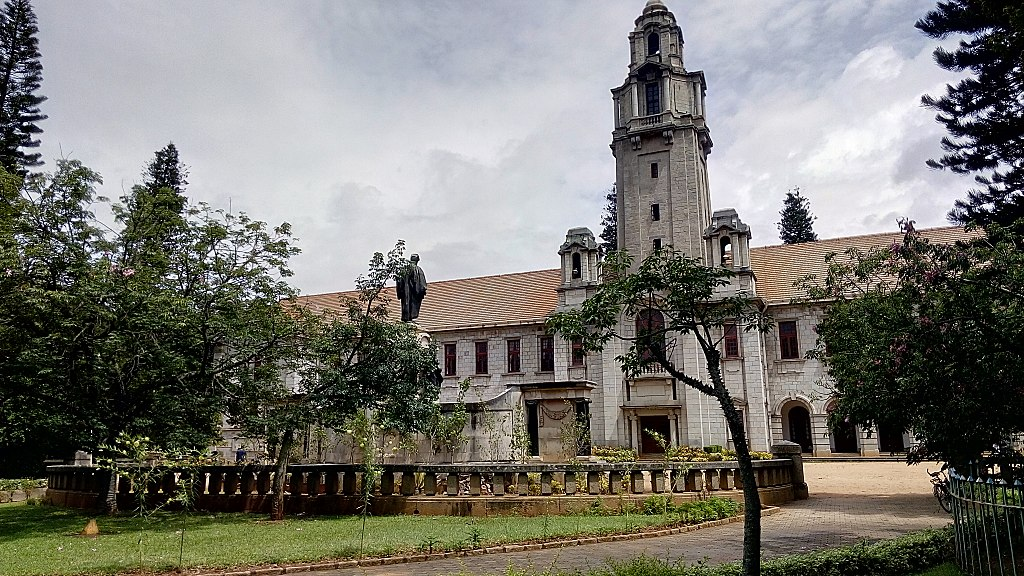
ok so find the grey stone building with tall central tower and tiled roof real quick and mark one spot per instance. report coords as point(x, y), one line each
point(491, 330)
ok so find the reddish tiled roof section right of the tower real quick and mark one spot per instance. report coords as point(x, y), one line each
point(779, 268)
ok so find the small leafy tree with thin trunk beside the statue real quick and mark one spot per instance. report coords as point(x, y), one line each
point(357, 362)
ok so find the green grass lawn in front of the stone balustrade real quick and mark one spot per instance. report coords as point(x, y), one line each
point(36, 541)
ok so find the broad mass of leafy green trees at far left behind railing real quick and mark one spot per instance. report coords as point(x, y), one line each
point(101, 338)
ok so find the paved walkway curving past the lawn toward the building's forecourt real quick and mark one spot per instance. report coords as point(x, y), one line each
point(850, 502)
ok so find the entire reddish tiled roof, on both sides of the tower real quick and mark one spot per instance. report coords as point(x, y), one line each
point(530, 297)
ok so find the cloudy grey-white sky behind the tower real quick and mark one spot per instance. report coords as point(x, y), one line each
point(479, 133)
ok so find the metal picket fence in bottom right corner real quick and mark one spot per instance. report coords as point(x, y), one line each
point(988, 504)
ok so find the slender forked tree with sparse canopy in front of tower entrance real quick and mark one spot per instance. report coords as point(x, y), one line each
point(674, 299)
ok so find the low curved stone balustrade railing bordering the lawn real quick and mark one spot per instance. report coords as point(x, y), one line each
point(439, 489)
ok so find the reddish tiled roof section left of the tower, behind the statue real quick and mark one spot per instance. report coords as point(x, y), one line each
point(487, 301)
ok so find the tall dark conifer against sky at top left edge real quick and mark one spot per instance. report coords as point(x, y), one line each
point(21, 75)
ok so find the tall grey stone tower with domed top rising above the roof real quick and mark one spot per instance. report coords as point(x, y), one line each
point(661, 143)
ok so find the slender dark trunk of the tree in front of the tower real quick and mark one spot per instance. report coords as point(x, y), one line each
point(752, 500)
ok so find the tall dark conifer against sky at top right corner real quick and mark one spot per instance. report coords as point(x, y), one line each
point(985, 113)
